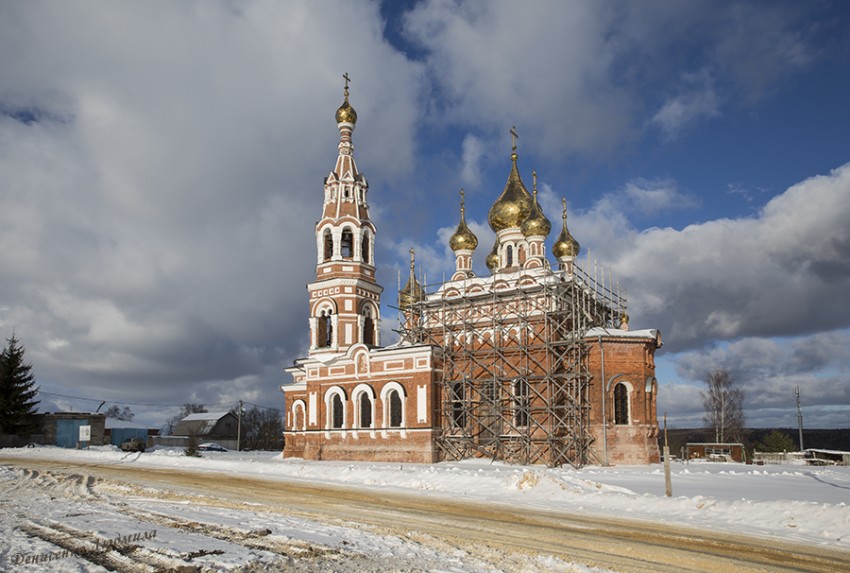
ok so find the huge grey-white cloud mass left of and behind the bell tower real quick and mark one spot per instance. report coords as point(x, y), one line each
point(161, 167)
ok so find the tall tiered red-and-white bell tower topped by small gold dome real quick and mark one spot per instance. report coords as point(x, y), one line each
point(344, 299)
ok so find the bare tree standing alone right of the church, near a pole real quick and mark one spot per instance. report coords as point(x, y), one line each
point(724, 407)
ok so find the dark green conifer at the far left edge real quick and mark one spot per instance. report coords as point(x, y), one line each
point(17, 389)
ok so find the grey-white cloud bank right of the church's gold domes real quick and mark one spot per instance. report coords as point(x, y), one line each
point(728, 278)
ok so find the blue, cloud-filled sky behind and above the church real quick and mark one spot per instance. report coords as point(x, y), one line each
point(161, 168)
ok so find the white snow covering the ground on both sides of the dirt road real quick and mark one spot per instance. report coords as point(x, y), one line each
point(795, 503)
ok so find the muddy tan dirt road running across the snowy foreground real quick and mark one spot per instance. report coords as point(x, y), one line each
point(502, 536)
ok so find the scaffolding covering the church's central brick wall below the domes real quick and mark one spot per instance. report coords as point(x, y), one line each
point(515, 379)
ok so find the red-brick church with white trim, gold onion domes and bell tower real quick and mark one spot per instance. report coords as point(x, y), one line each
point(533, 364)
